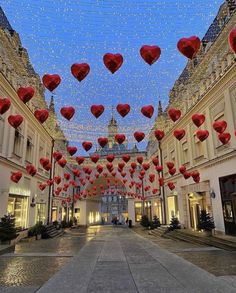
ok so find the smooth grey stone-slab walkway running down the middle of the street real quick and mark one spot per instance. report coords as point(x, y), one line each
point(119, 260)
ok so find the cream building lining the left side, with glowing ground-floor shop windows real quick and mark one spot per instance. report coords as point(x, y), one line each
point(29, 142)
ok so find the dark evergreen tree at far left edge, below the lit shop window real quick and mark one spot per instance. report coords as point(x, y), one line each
point(7, 229)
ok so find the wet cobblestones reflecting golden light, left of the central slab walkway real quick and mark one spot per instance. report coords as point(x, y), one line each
point(33, 263)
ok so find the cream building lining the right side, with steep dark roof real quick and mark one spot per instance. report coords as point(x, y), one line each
point(207, 86)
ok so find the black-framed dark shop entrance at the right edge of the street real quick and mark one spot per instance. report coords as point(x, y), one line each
point(228, 197)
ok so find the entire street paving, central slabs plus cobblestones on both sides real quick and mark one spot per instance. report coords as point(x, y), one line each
point(118, 257)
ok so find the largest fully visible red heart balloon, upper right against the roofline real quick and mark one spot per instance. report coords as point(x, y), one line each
point(189, 47)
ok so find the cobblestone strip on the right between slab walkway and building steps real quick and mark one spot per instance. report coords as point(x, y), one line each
point(215, 261)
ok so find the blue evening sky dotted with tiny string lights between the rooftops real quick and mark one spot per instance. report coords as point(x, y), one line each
point(58, 33)
